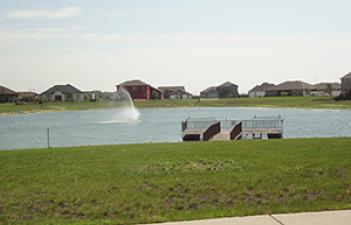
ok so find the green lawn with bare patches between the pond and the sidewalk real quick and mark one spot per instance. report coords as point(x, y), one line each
point(130, 184)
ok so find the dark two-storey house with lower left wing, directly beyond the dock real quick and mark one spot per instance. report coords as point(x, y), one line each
point(226, 90)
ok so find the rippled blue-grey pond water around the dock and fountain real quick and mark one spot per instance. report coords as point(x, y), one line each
point(97, 127)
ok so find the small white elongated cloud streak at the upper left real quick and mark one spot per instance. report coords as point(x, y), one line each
point(61, 13)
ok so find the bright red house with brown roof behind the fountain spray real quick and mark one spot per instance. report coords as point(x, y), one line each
point(141, 90)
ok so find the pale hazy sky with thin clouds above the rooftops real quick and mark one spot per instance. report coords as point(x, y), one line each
point(95, 45)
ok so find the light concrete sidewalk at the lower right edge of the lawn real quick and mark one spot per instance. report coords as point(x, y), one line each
point(342, 217)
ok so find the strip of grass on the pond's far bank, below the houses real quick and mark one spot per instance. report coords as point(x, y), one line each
point(285, 102)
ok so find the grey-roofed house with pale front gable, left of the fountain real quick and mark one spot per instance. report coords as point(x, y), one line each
point(62, 93)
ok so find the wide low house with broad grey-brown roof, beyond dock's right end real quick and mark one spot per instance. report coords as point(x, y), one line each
point(290, 88)
